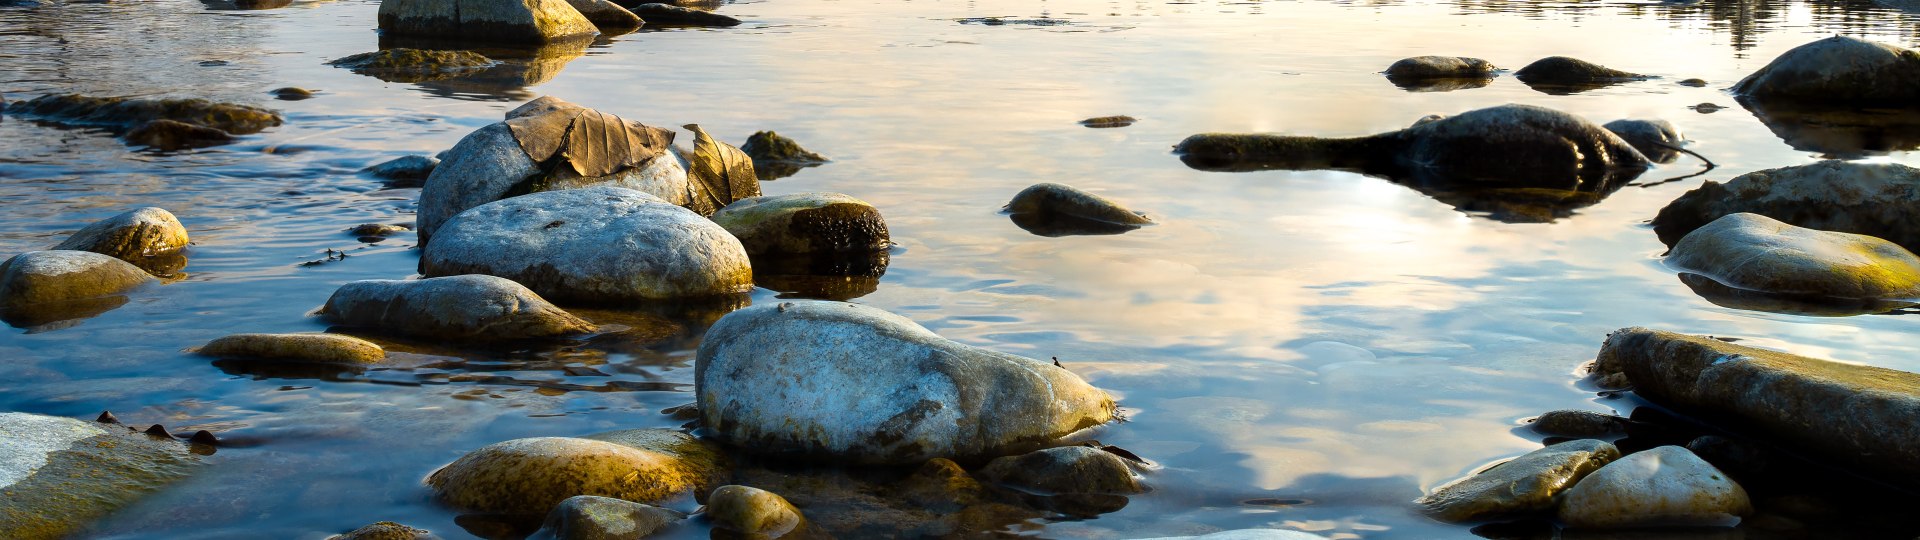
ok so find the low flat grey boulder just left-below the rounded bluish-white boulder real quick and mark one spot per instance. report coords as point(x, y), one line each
point(464, 307)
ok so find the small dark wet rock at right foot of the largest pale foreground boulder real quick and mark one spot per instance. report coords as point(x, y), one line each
point(1068, 470)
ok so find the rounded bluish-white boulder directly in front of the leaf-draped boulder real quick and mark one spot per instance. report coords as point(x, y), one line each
point(594, 245)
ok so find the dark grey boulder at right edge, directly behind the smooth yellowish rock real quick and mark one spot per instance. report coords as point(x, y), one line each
point(1848, 197)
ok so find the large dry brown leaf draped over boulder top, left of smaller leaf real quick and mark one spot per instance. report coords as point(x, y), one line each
point(588, 143)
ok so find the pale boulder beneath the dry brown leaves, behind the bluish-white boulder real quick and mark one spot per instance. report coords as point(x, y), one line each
point(491, 164)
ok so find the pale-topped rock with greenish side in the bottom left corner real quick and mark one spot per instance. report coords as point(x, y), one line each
point(59, 476)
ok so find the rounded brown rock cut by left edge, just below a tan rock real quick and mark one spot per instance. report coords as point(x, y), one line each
point(59, 285)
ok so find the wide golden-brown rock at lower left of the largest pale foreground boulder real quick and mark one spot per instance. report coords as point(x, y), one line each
point(533, 476)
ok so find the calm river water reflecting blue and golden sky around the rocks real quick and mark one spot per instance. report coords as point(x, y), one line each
point(1295, 349)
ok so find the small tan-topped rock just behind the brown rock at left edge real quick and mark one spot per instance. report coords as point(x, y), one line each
point(147, 237)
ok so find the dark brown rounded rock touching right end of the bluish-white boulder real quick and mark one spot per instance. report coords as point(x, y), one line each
point(805, 224)
